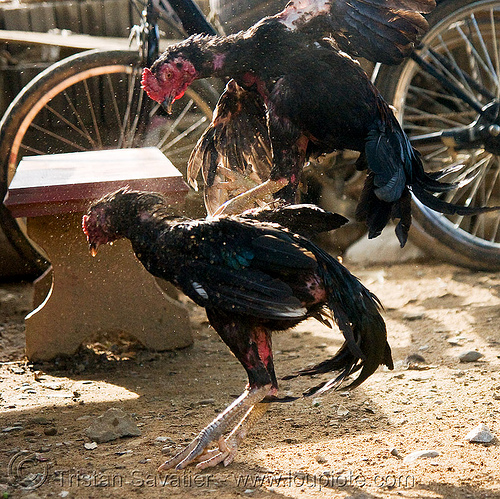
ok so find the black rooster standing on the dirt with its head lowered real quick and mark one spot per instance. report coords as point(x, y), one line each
point(253, 277)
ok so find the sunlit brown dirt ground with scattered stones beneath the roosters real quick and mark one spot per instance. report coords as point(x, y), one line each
point(342, 445)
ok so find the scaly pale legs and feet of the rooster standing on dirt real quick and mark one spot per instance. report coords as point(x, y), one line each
point(239, 416)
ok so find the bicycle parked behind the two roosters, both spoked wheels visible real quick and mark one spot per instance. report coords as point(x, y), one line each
point(447, 98)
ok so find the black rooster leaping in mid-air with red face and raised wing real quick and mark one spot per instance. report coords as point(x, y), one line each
point(296, 95)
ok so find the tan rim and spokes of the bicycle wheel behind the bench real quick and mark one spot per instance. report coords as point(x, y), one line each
point(101, 107)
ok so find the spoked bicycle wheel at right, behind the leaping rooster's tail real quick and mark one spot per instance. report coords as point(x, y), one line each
point(463, 45)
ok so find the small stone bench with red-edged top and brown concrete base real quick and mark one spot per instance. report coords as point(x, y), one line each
point(82, 296)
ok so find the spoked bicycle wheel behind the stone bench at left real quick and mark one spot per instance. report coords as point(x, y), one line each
point(93, 101)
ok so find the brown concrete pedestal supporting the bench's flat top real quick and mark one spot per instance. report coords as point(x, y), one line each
point(109, 293)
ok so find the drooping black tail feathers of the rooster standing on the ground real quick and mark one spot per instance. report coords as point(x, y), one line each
point(357, 314)
